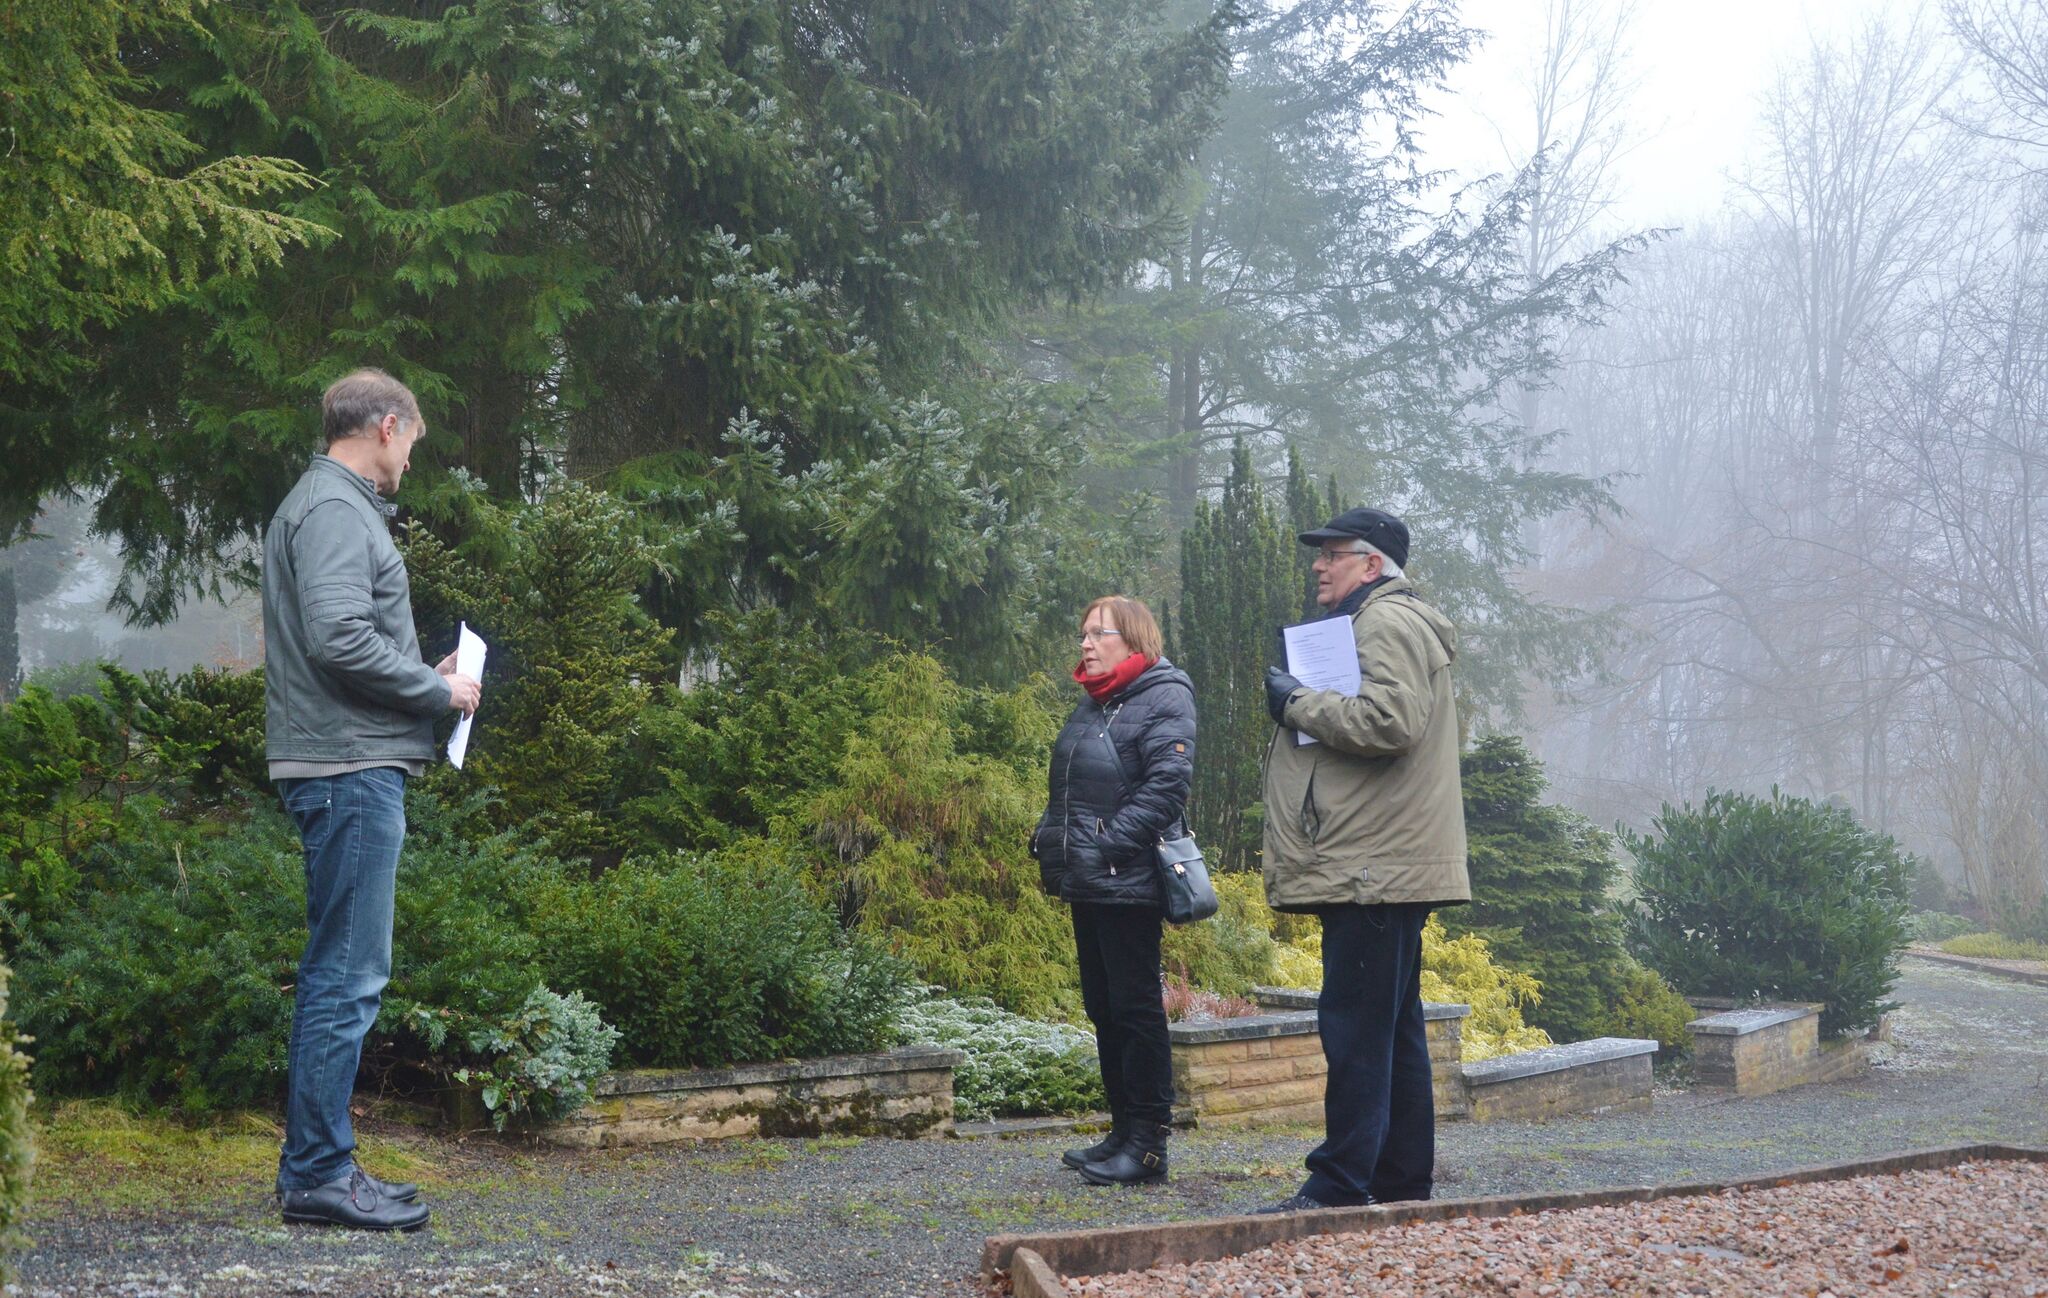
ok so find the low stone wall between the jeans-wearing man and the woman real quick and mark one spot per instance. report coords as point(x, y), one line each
point(902, 1092)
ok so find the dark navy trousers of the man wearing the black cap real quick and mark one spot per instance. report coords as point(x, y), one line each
point(1379, 1107)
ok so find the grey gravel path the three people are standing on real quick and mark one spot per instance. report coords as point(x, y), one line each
point(882, 1219)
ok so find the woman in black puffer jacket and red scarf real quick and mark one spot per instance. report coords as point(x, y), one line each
point(1121, 773)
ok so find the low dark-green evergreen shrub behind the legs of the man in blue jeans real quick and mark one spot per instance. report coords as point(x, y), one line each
point(171, 980)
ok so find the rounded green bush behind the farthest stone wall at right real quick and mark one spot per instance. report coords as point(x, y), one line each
point(1773, 898)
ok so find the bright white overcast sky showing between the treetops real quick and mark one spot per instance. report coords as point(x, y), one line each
point(1701, 69)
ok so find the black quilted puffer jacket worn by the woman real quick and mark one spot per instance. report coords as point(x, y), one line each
point(1111, 806)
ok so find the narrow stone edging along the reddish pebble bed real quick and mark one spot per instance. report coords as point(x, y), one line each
point(1037, 1262)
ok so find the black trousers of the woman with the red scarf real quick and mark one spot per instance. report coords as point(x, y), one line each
point(1119, 949)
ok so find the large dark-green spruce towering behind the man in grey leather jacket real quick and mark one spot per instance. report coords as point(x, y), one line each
point(609, 239)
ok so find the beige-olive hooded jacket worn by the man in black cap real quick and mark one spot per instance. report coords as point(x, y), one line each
point(1373, 814)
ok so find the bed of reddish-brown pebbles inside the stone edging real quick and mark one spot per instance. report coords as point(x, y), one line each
point(1973, 1229)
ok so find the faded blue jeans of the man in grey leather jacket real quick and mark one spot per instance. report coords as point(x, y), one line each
point(351, 828)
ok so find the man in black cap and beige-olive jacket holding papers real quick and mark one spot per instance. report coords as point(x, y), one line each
point(1365, 828)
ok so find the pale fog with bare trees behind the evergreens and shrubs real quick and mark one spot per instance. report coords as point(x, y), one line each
point(1818, 404)
